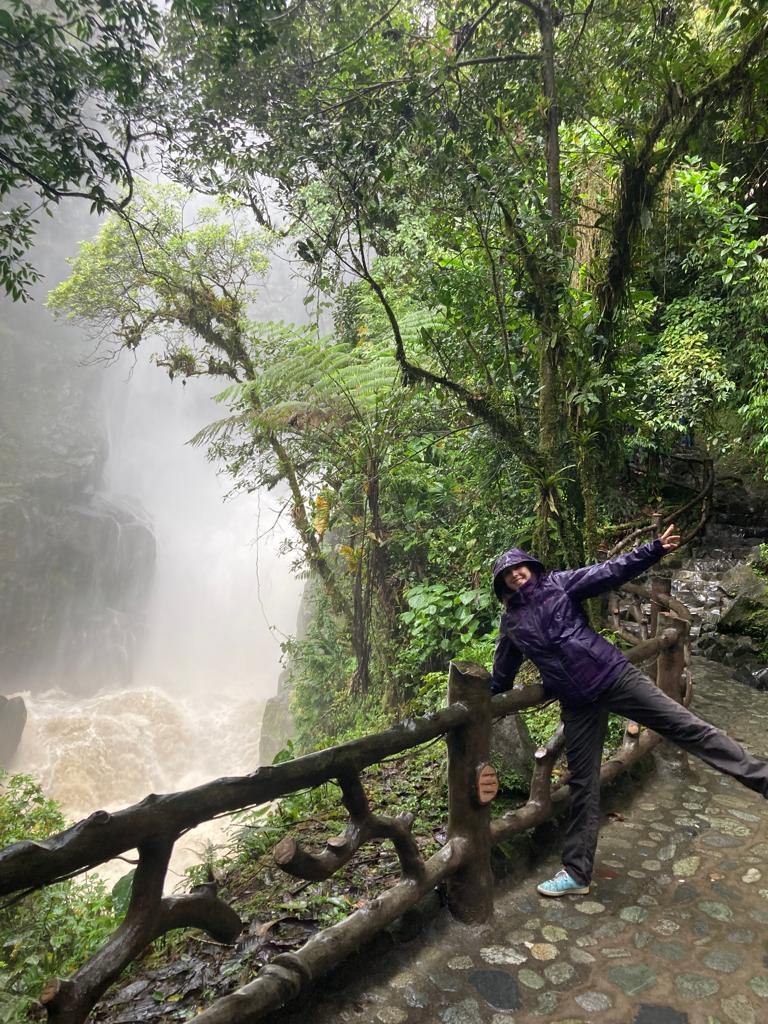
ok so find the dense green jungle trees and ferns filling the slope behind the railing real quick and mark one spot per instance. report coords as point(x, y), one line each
point(534, 240)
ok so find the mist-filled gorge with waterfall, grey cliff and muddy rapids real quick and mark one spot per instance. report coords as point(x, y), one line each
point(141, 619)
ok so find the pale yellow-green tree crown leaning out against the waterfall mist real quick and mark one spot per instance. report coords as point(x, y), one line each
point(181, 279)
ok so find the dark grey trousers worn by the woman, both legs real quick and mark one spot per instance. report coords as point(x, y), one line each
point(634, 697)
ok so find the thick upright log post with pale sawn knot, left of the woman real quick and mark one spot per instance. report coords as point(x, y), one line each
point(471, 890)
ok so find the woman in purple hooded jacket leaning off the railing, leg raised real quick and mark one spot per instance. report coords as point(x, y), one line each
point(543, 621)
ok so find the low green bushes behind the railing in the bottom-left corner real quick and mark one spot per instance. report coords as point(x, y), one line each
point(50, 933)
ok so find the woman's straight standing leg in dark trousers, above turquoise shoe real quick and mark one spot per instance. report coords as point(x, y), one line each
point(585, 734)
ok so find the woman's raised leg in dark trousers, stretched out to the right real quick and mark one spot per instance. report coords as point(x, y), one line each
point(636, 698)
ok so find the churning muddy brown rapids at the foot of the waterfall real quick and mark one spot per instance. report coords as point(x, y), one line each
point(110, 751)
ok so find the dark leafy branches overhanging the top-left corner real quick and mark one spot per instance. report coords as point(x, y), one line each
point(67, 67)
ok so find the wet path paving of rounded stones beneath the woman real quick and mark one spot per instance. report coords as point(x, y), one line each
point(674, 931)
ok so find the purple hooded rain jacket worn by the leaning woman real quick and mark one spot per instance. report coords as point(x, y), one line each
point(544, 621)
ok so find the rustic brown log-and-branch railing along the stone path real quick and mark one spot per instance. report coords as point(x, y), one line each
point(463, 864)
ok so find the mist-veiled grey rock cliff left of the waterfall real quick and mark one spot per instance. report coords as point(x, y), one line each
point(76, 564)
